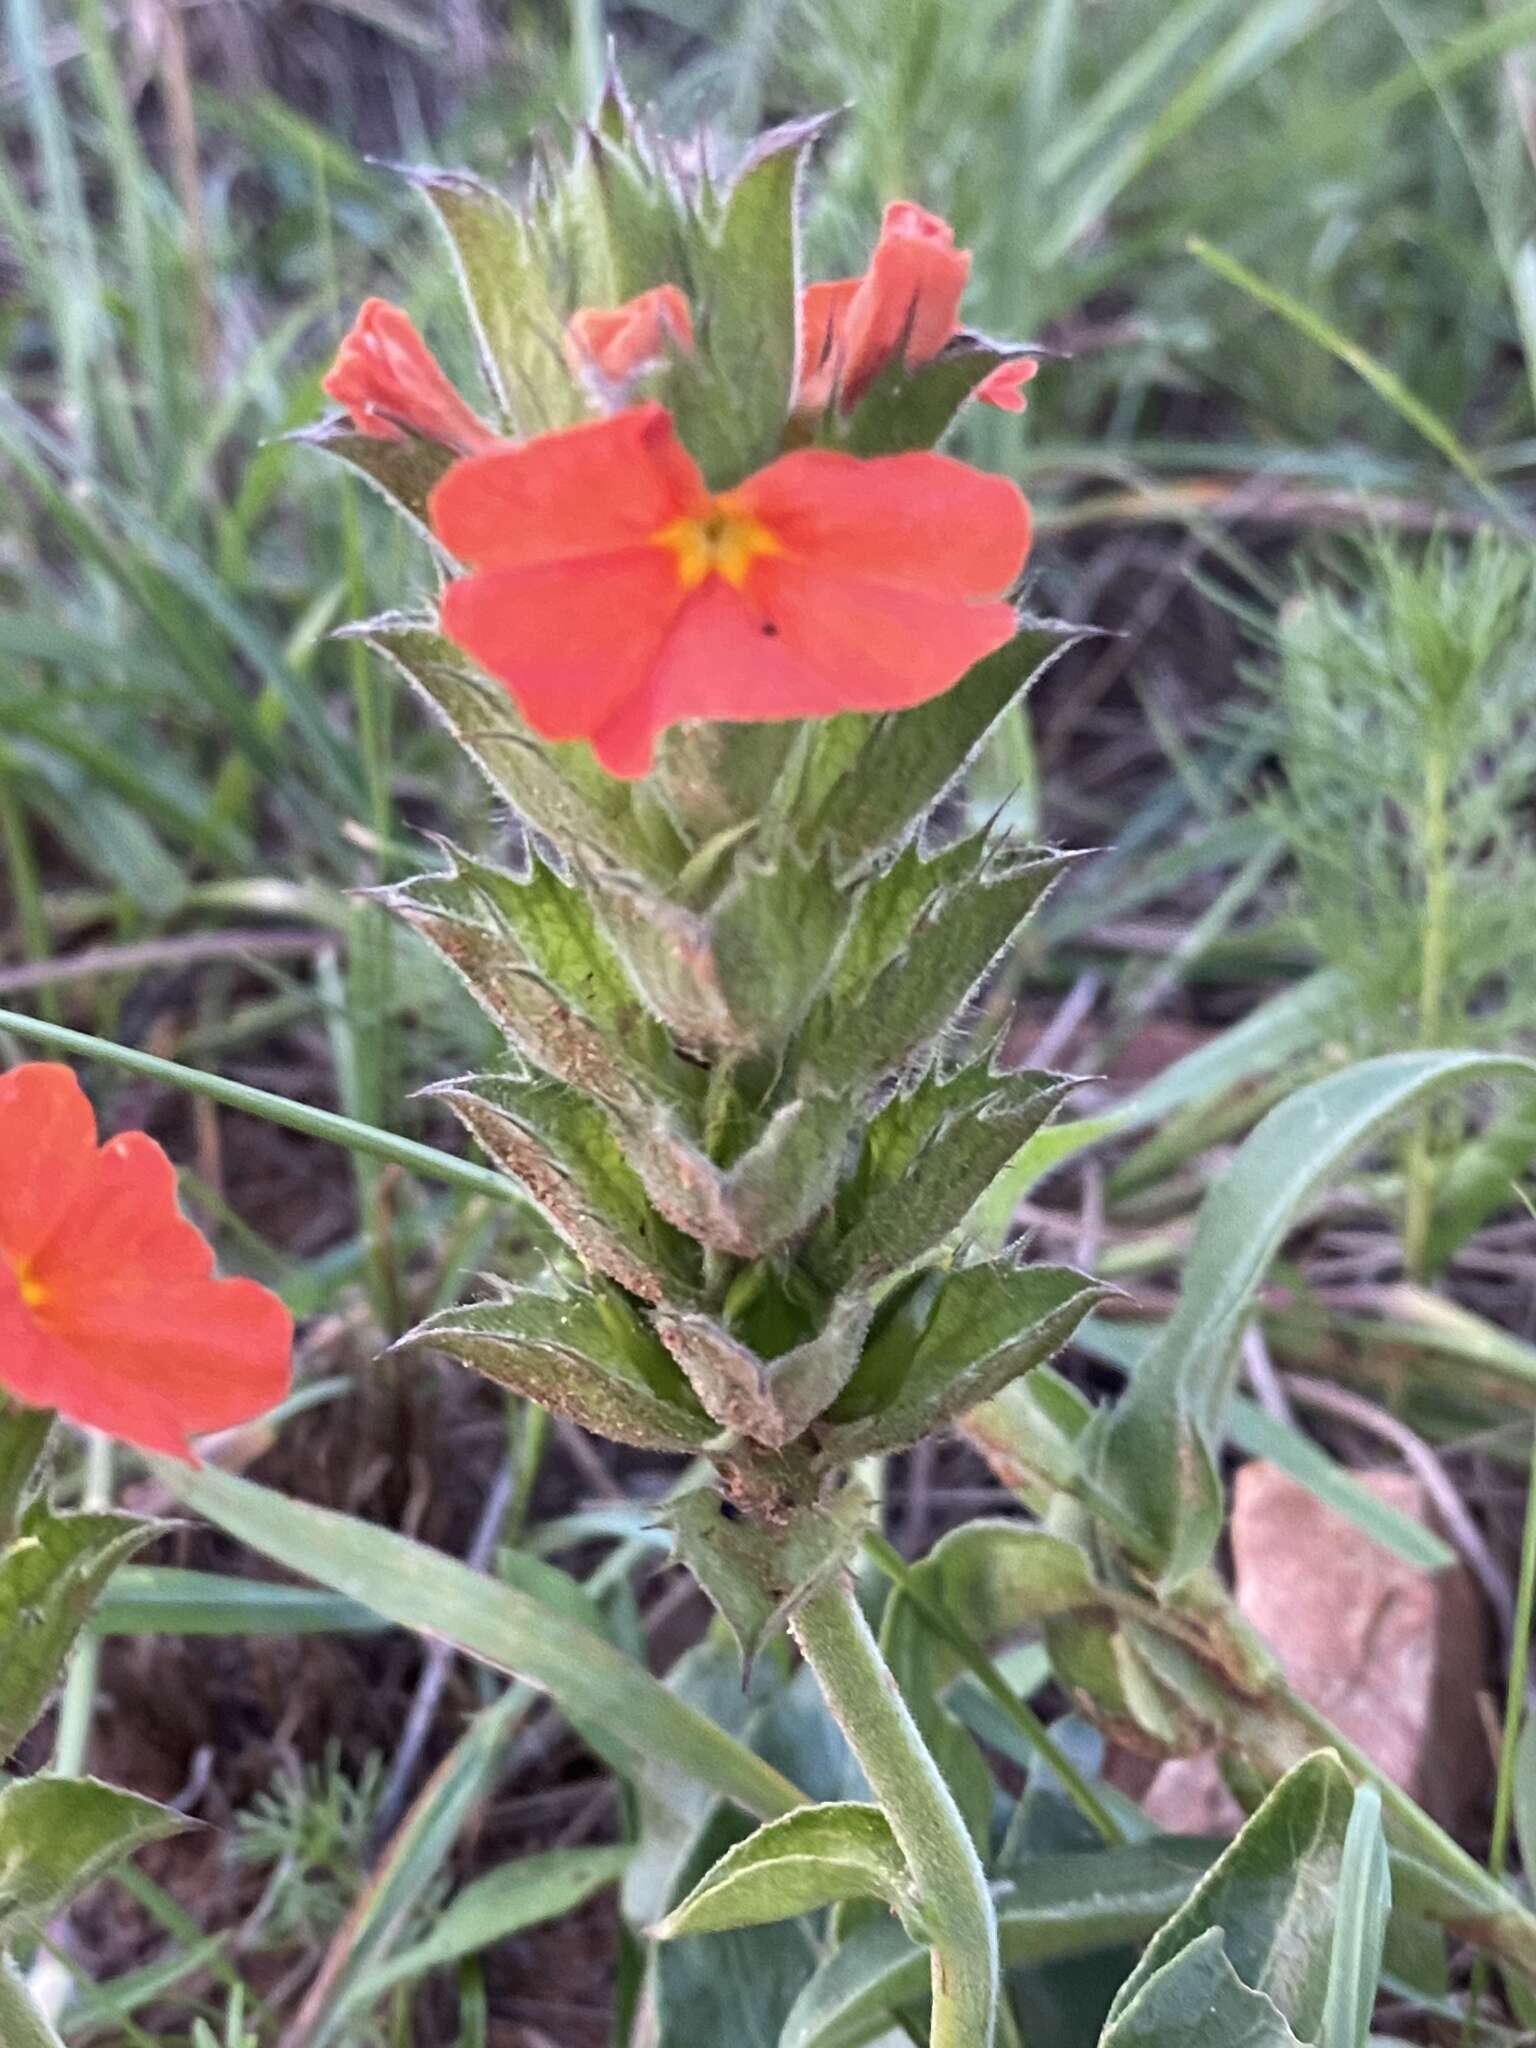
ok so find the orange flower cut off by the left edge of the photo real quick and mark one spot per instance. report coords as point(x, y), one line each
point(110, 1310)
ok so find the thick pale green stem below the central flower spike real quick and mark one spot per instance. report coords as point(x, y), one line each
point(925, 1820)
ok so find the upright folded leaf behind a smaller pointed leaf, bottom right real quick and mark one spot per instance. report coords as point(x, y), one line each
point(1271, 1904)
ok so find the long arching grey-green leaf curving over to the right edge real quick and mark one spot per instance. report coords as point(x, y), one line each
point(1154, 1453)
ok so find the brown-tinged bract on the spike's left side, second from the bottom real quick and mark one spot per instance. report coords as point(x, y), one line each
point(562, 1148)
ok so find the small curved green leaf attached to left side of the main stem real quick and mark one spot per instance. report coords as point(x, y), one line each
point(804, 1863)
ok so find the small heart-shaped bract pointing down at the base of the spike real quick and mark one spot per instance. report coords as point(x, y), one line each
point(759, 1574)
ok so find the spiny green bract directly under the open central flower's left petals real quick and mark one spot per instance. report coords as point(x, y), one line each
point(560, 790)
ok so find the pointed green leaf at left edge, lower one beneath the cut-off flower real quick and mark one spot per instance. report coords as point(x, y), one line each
point(62, 1834)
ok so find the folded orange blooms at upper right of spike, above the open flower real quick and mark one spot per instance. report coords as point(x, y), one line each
point(908, 304)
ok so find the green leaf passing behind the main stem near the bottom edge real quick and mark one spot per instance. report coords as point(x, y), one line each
point(1056, 1908)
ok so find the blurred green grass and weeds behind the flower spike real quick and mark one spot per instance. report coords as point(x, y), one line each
point(1287, 251)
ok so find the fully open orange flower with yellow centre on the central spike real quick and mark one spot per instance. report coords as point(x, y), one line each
point(613, 595)
